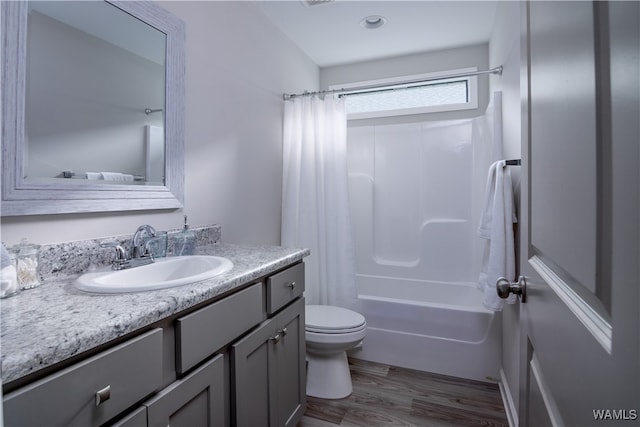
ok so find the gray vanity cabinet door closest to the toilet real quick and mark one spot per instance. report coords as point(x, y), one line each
point(290, 376)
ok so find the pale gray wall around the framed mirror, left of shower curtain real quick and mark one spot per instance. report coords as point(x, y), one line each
point(238, 65)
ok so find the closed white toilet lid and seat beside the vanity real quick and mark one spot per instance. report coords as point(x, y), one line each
point(331, 319)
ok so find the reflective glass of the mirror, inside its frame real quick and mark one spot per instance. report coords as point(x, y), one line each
point(95, 95)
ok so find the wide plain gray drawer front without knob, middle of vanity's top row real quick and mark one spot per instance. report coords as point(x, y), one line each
point(203, 332)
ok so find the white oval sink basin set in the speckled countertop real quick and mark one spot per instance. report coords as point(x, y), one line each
point(164, 273)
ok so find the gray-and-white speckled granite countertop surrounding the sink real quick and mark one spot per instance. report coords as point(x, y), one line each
point(48, 324)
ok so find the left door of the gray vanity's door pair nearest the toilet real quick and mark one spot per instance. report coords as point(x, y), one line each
point(252, 391)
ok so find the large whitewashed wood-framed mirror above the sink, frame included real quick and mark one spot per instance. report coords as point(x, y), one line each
point(92, 107)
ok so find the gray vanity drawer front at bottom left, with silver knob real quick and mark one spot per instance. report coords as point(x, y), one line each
point(131, 371)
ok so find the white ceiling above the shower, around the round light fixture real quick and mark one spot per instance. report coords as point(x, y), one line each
point(330, 32)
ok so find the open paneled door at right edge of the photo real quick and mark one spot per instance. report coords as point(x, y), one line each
point(580, 326)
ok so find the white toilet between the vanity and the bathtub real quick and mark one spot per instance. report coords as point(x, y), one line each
point(330, 332)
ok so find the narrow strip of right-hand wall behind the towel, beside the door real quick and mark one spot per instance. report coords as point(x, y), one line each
point(504, 49)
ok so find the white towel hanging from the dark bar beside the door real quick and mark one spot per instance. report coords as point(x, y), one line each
point(496, 225)
